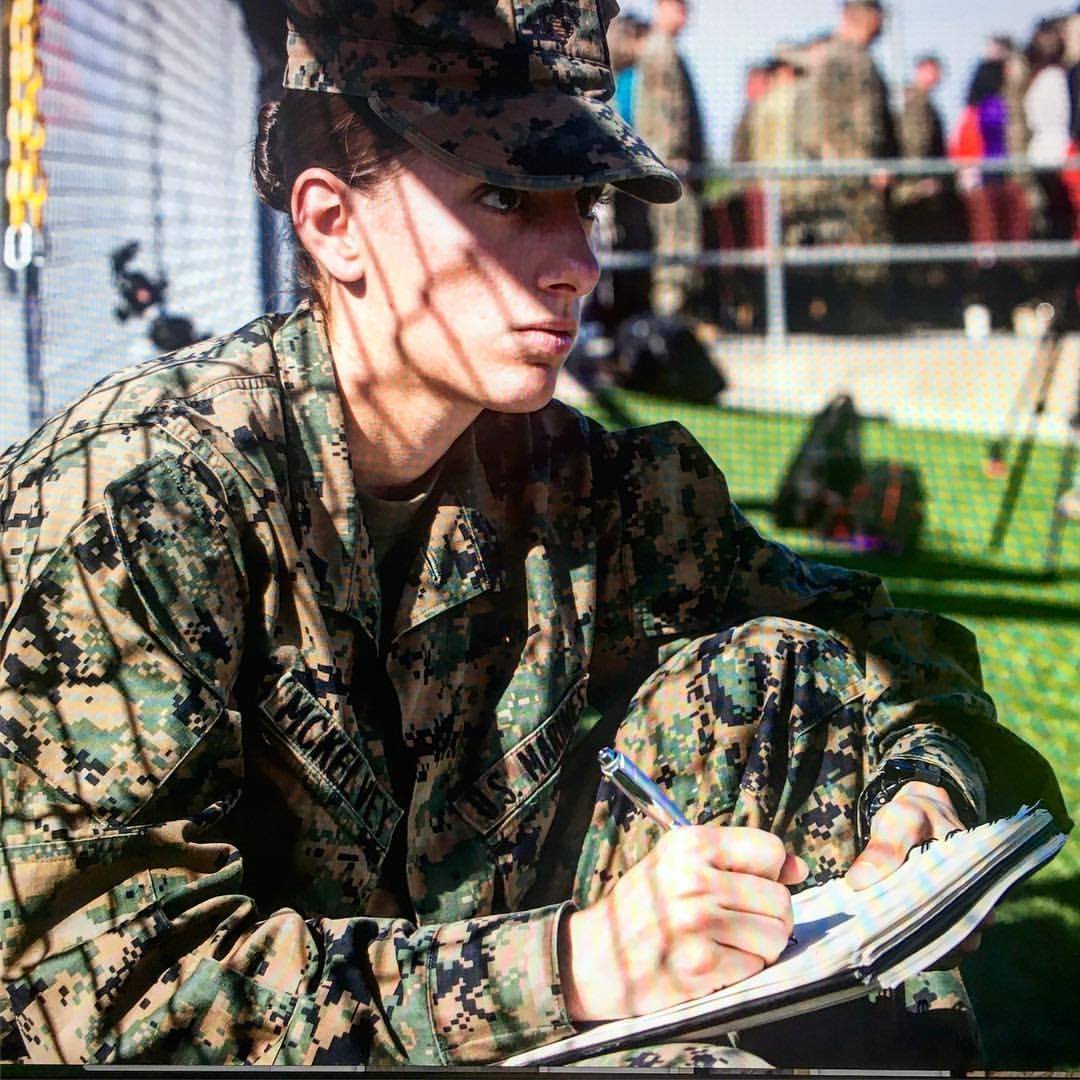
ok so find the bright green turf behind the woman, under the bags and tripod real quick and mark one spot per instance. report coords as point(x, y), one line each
point(1025, 981)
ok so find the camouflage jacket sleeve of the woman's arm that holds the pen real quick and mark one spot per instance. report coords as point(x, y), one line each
point(127, 933)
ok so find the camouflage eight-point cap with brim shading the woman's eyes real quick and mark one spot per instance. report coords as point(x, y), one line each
point(512, 91)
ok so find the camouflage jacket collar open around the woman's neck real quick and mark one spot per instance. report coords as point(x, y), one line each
point(462, 556)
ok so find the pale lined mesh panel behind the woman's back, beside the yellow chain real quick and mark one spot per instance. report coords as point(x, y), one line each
point(150, 111)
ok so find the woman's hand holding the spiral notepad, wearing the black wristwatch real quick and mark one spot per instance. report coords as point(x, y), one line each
point(919, 813)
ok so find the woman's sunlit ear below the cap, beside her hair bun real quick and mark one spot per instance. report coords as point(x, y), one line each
point(326, 222)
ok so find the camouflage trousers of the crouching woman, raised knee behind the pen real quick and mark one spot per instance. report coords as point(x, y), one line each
point(763, 726)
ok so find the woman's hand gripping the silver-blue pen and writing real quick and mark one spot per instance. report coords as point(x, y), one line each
point(707, 908)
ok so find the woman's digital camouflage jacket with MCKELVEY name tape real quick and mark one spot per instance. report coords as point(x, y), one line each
point(197, 800)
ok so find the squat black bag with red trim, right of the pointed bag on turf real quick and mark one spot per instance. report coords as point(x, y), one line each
point(888, 509)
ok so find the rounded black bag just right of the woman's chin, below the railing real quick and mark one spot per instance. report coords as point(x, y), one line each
point(664, 356)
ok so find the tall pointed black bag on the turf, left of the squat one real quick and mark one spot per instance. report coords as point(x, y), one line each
point(823, 474)
